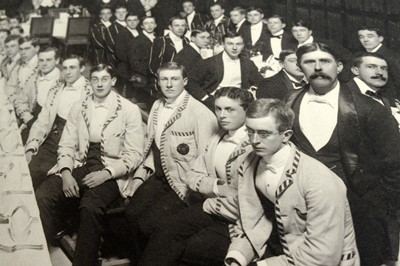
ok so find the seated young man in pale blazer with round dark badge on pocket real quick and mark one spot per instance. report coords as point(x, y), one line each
point(178, 130)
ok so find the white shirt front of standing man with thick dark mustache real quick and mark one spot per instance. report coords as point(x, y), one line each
point(318, 119)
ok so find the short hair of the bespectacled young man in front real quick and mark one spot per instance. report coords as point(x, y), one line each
point(282, 113)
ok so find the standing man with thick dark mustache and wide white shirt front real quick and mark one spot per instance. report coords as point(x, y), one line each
point(355, 137)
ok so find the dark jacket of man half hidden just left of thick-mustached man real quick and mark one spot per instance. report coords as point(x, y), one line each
point(278, 86)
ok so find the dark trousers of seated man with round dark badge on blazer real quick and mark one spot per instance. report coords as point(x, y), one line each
point(153, 202)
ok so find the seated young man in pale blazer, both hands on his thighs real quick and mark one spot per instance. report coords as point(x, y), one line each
point(101, 144)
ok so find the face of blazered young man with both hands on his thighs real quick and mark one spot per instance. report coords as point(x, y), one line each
point(102, 83)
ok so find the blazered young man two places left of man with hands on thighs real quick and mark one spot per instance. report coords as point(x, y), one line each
point(31, 99)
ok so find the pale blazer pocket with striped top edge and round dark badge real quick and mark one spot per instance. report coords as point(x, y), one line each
point(183, 146)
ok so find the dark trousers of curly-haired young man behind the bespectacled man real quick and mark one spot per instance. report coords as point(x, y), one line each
point(191, 237)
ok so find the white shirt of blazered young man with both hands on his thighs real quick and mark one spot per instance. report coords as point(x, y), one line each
point(99, 113)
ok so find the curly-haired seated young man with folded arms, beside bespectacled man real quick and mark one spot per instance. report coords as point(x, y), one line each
point(199, 234)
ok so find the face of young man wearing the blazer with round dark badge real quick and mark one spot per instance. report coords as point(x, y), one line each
point(171, 83)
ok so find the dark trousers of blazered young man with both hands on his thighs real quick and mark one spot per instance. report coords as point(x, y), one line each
point(54, 206)
